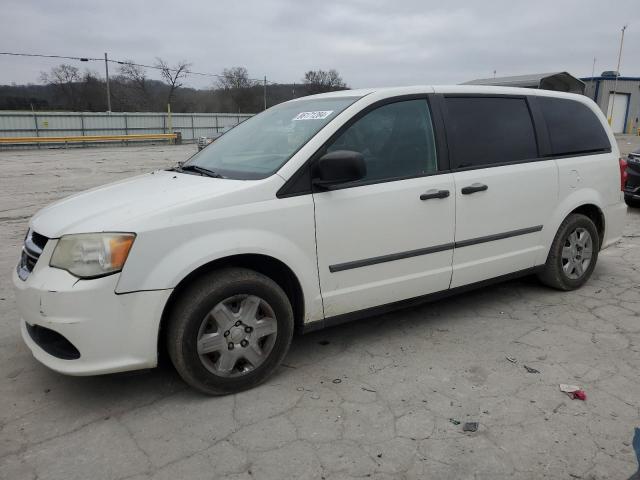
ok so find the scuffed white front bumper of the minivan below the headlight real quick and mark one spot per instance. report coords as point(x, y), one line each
point(111, 332)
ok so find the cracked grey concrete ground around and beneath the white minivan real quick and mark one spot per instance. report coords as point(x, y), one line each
point(371, 399)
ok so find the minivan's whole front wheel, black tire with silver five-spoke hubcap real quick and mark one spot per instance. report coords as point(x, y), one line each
point(246, 305)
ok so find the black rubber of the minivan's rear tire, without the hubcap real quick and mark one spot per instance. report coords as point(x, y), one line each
point(553, 274)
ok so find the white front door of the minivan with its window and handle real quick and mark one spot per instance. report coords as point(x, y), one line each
point(388, 237)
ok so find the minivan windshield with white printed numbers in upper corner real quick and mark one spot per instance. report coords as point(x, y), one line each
point(259, 146)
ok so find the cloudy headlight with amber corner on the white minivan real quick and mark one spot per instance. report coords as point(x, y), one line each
point(91, 255)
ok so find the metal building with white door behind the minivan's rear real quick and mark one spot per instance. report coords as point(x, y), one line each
point(626, 105)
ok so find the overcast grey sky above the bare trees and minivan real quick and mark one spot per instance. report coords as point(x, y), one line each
point(370, 42)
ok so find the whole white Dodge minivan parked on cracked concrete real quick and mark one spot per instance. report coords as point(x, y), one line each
point(318, 211)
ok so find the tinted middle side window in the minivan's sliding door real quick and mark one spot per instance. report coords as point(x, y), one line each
point(485, 131)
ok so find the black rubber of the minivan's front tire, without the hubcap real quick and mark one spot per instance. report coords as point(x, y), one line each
point(195, 303)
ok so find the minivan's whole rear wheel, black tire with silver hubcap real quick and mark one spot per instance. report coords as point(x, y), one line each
point(564, 273)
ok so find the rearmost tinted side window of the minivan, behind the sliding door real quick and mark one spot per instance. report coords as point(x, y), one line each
point(573, 127)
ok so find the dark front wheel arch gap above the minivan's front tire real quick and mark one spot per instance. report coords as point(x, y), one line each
point(269, 266)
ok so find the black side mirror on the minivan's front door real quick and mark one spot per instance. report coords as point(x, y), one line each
point(338, 167)
